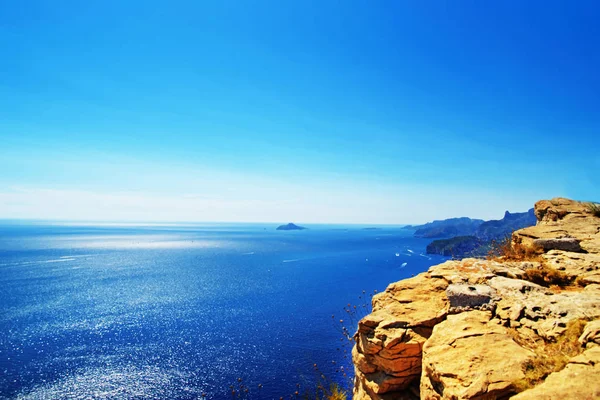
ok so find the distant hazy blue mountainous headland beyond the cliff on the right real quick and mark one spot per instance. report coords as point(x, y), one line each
point(476, 242)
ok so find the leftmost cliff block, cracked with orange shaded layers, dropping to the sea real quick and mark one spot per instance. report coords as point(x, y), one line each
point(387, 355)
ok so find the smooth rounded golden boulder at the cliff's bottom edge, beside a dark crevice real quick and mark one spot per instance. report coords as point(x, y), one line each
point(466, 357)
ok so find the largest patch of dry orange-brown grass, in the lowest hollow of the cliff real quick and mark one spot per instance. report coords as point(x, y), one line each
point(549, 356)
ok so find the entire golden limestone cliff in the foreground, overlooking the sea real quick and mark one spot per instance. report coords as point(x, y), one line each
point(470, 329)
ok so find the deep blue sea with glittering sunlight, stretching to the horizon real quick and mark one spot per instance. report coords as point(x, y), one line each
point(178, 311)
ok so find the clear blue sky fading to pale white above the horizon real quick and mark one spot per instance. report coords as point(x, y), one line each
point(304, 111)
